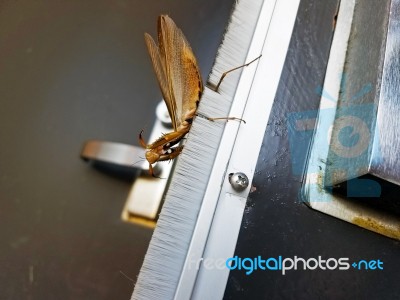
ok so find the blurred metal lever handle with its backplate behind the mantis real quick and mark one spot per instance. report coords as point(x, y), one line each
point(146, 195)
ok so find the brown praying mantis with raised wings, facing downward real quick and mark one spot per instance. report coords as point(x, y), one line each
point(181, 85)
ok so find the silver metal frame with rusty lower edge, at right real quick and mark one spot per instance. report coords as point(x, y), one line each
point(353, 167)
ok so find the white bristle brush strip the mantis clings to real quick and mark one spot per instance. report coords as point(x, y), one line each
point(165, 257)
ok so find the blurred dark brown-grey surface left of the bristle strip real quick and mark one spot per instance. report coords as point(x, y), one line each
point(69, 72)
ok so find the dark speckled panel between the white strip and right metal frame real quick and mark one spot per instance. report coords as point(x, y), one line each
point(276, 223)
